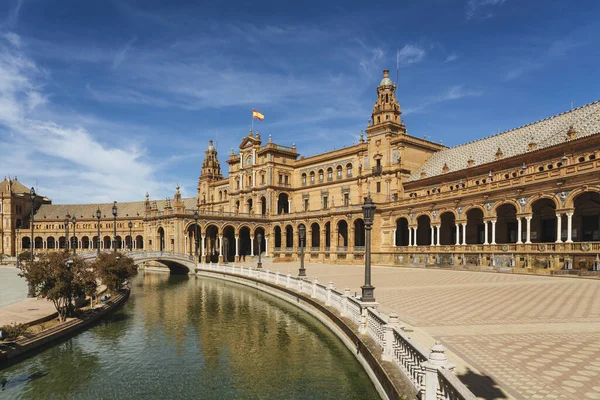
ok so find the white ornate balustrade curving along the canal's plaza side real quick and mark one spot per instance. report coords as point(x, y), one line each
point(430, 374)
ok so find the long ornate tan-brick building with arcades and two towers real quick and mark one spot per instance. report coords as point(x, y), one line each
point(525, 197)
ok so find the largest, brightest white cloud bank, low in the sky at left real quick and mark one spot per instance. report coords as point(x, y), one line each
point(69, 162)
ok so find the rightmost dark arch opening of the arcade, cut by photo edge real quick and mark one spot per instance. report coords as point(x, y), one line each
point(586, 217)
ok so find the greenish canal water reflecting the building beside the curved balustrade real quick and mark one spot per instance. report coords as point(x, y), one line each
point(185, 337)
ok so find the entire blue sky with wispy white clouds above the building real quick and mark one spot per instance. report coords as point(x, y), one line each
point(104, 100)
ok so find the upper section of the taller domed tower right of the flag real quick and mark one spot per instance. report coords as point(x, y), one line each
point(385, 117)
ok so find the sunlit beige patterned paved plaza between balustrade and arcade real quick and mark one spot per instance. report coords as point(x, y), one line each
point(521, 336)
